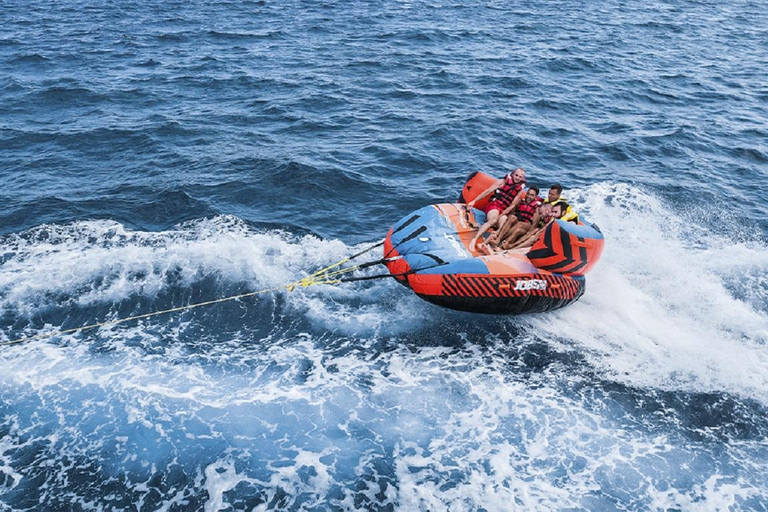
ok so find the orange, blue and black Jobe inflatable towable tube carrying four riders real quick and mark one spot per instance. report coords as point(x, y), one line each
point(428, 251)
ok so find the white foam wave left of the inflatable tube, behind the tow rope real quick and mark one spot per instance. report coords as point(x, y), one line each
point(102, 262)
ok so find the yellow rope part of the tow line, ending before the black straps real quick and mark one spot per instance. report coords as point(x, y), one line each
point(322, 276)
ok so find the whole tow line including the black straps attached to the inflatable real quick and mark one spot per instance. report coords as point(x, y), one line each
point(322, 276)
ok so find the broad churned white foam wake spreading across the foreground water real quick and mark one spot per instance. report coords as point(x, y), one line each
point(464, 431)
